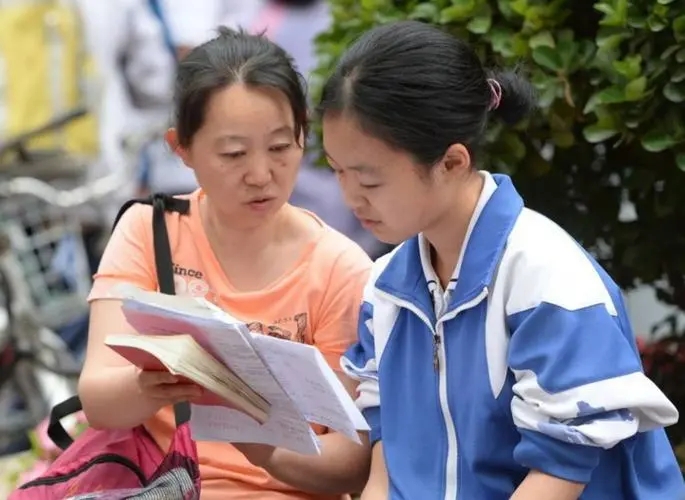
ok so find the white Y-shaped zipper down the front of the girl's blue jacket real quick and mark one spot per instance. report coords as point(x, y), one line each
point(439, 364)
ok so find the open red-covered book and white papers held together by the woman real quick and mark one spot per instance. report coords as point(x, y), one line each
point(261, 389)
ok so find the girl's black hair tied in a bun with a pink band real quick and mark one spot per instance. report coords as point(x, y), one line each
point(421, 90)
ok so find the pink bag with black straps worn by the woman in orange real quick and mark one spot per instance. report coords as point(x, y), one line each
point(123, 464)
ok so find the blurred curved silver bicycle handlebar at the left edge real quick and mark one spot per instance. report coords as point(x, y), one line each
point(69, 198)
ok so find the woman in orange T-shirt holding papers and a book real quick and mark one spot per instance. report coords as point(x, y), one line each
point(240, 123)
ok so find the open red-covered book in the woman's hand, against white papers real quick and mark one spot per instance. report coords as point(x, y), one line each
point(182, 355)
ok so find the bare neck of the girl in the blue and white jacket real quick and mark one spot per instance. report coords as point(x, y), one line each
point(446, 236)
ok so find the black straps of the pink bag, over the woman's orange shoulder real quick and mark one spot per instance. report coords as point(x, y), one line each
point(161, 204)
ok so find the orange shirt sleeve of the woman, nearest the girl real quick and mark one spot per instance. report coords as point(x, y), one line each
point(336, 325)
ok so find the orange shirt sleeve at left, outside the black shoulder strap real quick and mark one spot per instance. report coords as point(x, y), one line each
point(128, 258)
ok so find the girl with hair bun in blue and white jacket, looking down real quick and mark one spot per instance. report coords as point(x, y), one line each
point(495, 356)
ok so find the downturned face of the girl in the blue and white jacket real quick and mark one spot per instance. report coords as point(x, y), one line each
point(392, 196)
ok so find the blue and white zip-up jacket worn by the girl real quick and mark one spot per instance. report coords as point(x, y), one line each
point(530, 364)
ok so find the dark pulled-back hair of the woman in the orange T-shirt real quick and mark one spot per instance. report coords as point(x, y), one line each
point(234, 57)
